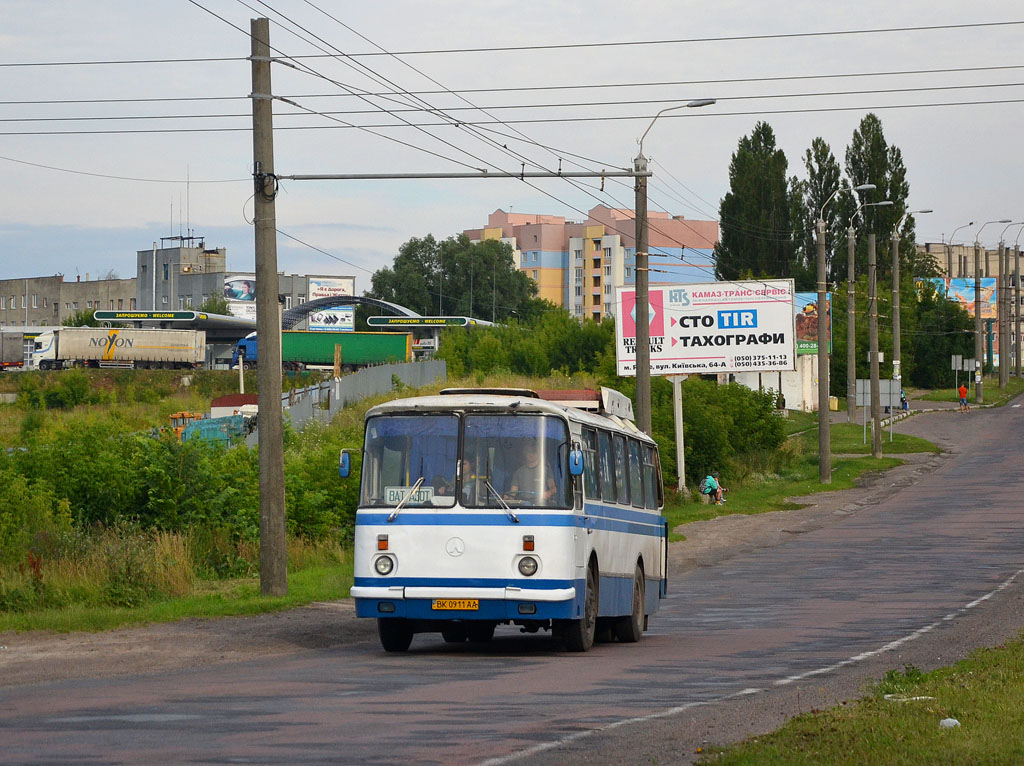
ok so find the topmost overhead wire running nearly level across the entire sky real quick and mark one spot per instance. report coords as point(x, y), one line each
point(552, 47)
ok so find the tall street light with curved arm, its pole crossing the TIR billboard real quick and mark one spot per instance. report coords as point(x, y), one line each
point(642, 309)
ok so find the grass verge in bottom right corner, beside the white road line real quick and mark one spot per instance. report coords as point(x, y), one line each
point(985, 693)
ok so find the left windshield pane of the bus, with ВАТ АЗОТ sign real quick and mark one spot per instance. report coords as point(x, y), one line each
point(404, 452)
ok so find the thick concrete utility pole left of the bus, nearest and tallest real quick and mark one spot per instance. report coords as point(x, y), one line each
point(273, 548)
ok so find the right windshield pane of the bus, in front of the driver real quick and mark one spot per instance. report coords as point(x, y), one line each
point(521, 458)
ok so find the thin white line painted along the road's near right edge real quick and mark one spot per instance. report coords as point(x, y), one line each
point(520, 755)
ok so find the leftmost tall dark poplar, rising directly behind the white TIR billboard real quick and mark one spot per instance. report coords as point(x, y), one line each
point(756, 215)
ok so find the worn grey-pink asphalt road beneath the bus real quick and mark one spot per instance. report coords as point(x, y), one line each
point(922, 578)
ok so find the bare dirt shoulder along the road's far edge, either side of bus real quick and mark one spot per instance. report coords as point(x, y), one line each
point(40, 658)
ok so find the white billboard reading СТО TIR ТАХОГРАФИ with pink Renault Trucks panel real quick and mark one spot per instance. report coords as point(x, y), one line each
point(717, 327)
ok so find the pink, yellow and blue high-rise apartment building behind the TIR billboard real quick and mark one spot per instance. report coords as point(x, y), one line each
point(580, 265)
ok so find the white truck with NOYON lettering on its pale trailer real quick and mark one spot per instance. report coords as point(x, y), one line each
point(95, 347)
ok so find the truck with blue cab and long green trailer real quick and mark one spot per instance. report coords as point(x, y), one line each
point(303, 349)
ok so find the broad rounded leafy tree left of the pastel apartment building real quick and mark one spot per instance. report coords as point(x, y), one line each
point(458, 277)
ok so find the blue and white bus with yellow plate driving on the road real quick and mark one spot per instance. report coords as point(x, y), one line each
point(481, 507)
